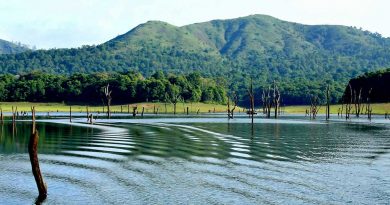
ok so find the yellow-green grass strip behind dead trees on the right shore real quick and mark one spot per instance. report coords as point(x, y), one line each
point(380, 108)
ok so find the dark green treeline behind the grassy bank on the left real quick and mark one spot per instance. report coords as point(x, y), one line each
point(128, 87)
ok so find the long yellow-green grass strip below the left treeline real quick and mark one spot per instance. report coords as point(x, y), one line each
point(149, 107)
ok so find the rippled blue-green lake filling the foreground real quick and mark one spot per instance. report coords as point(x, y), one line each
point(199, 160)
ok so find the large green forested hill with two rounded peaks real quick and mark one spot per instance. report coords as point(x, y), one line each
point(303, 58)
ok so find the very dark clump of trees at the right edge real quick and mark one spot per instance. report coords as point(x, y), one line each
point(372, 86)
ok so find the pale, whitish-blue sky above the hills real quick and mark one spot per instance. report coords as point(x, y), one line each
point(73, 23)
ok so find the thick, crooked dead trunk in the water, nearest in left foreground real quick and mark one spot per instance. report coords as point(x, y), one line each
point(33, 153)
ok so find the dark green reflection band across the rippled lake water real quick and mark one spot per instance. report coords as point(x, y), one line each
point(272, 141)
